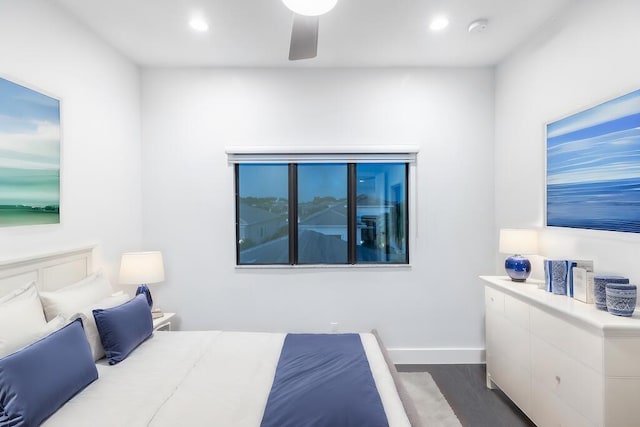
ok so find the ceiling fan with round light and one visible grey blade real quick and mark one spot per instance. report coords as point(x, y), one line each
point(304, 31)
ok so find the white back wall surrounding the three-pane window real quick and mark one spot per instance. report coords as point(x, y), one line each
point(434, 308)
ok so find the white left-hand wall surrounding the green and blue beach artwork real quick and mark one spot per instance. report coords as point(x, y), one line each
point(44, 48)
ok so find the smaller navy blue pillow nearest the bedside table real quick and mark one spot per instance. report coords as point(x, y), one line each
point(124, 327)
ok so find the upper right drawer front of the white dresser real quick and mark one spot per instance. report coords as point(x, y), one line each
point(580, 344)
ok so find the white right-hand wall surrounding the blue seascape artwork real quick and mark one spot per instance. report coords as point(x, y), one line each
point(584, 58)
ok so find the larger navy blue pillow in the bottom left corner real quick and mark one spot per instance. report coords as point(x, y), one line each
point(40, 378)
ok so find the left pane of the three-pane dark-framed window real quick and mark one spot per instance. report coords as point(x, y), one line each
point(263, 209)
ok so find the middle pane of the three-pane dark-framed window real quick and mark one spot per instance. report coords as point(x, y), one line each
point(322, 213)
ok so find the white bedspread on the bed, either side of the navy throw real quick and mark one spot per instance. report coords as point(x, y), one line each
point(198, 378)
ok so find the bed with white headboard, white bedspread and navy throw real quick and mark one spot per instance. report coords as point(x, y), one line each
point(193, 378)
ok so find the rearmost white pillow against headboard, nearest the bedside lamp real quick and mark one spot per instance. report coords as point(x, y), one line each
point(73, 298)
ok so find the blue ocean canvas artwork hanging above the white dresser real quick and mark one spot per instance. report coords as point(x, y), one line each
point(593, 167)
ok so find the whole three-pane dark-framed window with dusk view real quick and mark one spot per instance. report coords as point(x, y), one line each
point(322, 213)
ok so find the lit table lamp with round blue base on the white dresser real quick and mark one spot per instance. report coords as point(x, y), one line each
point(518, 242)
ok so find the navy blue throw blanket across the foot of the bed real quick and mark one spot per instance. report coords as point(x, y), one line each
point(323, 380)
